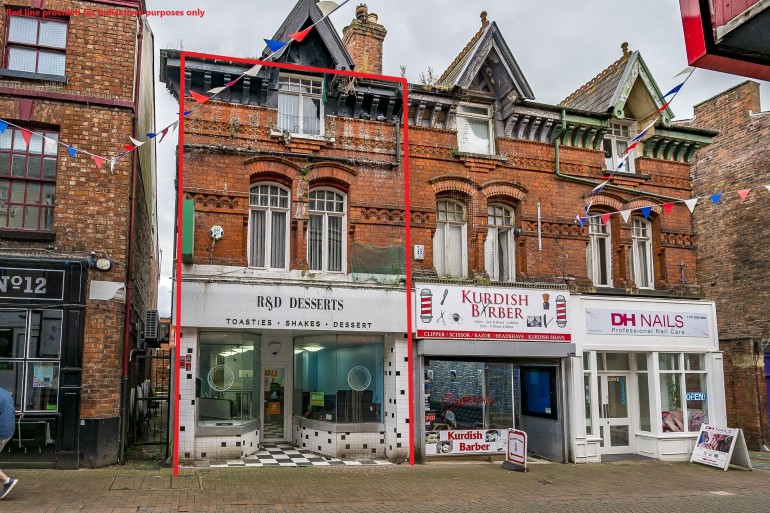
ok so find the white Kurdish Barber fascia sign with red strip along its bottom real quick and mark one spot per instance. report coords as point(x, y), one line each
point(451, 311)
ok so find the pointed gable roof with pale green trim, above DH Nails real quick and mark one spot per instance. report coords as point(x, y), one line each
point(609, 91)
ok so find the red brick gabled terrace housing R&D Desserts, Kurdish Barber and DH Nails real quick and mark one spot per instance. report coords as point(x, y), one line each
point(293, 258)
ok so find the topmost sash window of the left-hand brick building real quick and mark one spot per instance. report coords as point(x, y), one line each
point(36, 45)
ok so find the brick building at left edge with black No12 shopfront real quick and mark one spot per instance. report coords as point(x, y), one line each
point(87, 238)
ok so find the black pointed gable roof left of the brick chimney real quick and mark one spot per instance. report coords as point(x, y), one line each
point(304, 14)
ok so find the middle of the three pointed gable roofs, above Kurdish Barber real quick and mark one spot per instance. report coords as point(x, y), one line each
point(488, 43)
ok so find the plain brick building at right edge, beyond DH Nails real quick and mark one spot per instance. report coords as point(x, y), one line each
point(732, 255)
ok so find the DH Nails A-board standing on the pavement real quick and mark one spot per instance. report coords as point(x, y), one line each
point(721, 447)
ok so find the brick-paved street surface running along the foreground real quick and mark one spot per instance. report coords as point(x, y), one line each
point(620, 486)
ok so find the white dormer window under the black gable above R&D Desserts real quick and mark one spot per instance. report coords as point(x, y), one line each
point(300, 109)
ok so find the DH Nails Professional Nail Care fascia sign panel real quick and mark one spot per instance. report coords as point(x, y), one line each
point(601, 321)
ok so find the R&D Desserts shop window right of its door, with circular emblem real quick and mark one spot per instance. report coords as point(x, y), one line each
point(339, 378)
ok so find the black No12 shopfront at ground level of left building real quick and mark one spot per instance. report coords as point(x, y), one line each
point(42, 318)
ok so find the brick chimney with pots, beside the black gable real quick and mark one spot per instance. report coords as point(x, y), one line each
point(363, 39)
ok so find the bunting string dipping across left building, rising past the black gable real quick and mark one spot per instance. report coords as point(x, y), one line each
point(276, 47)
